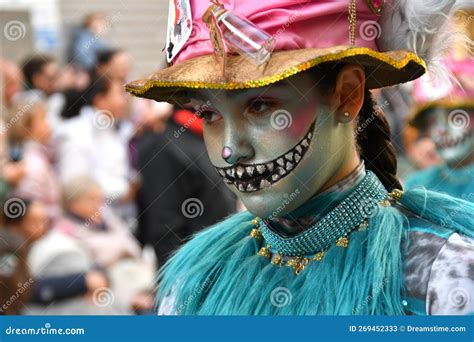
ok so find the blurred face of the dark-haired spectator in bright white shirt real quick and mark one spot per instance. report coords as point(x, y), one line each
point(113, 102)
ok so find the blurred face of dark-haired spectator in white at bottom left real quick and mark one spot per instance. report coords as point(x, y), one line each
point(34, 223)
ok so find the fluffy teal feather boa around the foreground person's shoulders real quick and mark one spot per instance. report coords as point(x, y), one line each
point(219, 272)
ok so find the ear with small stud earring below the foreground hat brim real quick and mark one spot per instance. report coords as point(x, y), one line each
point(349, 90)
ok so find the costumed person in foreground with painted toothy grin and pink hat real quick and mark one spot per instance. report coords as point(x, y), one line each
point(291, 127)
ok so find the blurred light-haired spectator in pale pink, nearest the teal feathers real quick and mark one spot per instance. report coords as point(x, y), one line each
point(106, 238)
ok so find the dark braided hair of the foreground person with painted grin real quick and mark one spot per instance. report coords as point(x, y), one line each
point(372, 132)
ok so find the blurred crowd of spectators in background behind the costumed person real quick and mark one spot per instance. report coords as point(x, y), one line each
point(99, 188)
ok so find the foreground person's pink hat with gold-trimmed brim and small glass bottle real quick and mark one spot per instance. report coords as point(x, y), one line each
point(302, 34)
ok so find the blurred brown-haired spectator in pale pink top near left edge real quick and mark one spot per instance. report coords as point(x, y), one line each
point(29, 135)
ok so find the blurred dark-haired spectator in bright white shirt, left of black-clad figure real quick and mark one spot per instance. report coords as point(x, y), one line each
point(91, 143)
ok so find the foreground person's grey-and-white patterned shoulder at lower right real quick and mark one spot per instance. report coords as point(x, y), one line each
point(437, 262)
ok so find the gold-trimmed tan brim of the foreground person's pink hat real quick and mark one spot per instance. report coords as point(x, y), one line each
point(382, 69)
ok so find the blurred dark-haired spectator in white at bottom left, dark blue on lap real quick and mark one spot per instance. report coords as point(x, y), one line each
point(63, 278)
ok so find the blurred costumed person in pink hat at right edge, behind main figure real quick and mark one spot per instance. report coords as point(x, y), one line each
point(444, 112)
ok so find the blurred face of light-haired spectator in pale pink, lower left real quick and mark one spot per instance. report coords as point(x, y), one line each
point(89, 205)
